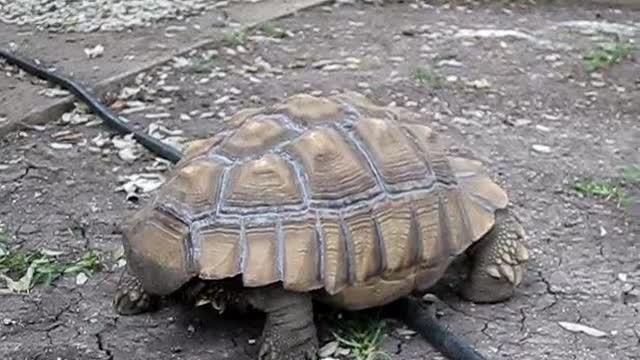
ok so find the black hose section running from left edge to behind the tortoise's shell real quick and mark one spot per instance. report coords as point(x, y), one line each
point(109, 117)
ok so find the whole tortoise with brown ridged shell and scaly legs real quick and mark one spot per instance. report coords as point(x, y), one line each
point(335, 199)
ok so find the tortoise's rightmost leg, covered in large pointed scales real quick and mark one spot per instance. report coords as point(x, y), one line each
point(498, 262)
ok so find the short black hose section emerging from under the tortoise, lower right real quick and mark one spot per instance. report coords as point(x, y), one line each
point(414, 314)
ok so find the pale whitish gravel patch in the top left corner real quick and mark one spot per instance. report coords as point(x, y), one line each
point(101, 15)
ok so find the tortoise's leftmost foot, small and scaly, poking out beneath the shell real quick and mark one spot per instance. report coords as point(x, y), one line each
point(130, 298)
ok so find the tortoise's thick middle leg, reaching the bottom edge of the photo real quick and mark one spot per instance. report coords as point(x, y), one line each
point(289, 332)
